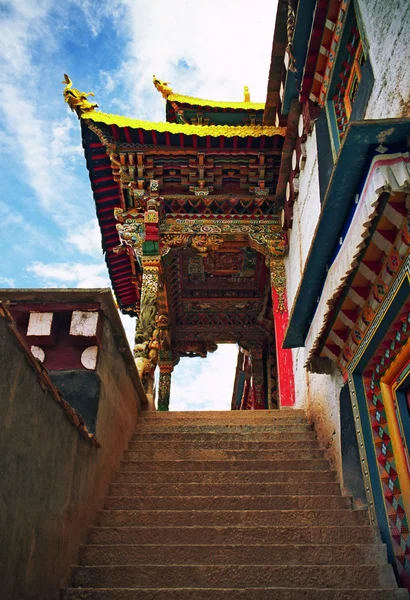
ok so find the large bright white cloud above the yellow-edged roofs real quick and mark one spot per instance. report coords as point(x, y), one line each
point(213, 61)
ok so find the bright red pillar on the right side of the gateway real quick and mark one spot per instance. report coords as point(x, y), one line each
point(286, 382)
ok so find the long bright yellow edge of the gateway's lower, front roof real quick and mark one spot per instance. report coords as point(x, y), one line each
point(200, 130)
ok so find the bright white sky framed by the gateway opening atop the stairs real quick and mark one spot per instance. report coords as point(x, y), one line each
point(205, 383)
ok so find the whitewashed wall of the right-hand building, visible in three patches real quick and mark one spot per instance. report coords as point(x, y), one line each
point(387, 27)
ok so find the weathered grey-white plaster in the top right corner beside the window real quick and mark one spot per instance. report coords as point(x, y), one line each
point(387, 27)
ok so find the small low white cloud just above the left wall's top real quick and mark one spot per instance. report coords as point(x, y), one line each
point(70, 274)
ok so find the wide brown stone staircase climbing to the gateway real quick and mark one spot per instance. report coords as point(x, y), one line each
point(230, 505)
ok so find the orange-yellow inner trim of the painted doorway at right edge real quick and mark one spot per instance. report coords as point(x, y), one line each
point(388, 393)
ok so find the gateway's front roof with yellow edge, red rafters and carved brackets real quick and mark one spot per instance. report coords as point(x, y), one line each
point(124, 154)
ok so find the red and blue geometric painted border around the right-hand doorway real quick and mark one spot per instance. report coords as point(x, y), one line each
point(398, 521)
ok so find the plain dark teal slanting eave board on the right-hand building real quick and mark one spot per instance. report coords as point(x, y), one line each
point(359, 138)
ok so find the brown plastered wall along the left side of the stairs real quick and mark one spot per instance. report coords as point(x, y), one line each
point(54, 481)
